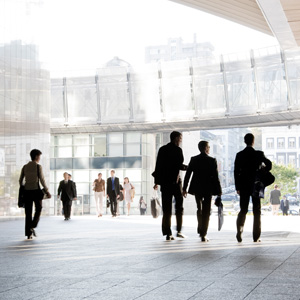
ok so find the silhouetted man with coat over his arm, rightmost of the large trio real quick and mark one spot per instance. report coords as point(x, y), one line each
point(246, 164)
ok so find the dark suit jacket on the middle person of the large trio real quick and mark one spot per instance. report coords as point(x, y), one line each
point(205, 179)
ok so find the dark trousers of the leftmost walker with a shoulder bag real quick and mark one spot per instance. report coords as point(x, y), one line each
point(31, 196)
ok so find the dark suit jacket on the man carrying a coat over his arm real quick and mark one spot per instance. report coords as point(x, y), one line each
point(247, 162)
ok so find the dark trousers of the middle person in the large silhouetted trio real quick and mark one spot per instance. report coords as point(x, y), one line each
point(203, 213)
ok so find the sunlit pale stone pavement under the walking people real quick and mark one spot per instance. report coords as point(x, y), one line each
point(127, 258)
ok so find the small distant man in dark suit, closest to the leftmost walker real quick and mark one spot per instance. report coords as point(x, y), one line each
point(68, 193)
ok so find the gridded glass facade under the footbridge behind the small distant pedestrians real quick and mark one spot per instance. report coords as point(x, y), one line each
point(85, 155)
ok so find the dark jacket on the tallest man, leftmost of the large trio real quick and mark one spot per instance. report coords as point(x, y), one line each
point(168, 164)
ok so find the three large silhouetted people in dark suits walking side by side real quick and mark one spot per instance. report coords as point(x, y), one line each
point(205, 183)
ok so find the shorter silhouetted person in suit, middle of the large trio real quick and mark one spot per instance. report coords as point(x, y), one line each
point(205, 183)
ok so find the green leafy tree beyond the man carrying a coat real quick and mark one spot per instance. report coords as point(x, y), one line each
point(285, 178)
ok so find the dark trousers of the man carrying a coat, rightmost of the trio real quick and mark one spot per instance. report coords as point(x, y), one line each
point(244, 204)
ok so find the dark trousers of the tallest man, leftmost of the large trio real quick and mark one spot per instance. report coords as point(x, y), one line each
point(169, 191)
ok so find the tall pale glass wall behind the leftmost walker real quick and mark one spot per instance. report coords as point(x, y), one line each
point(24, 100)
